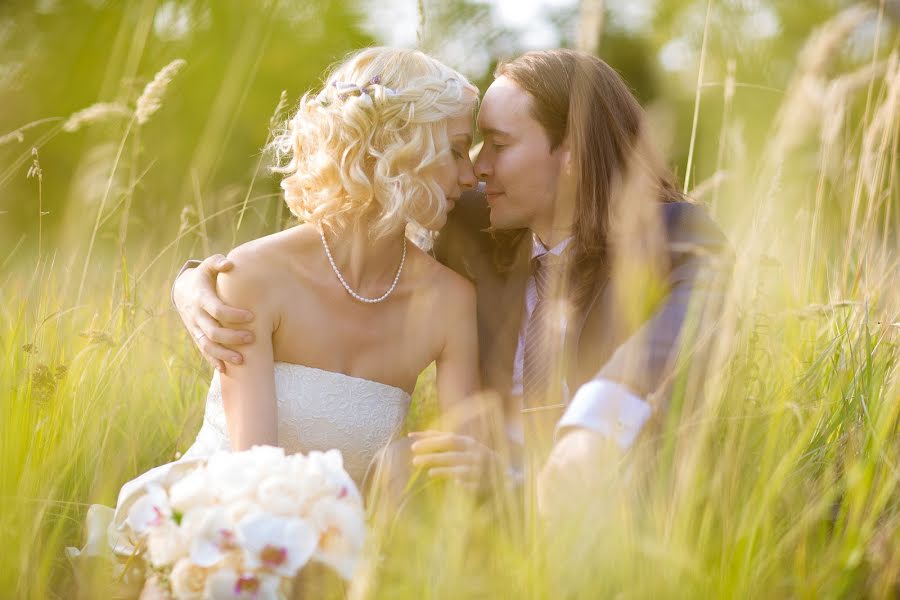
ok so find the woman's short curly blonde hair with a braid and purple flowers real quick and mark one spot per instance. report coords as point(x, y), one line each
point(363, 146)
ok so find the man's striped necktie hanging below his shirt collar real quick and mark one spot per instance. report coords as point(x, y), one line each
point(542, 334)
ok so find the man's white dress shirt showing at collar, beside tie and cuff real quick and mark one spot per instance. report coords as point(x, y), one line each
point(600, 405)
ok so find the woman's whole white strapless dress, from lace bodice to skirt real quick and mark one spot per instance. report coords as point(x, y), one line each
point(317, 410)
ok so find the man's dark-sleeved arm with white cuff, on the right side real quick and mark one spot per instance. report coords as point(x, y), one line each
point(614, 403)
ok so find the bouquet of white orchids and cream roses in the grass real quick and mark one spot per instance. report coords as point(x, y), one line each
point(243, 524)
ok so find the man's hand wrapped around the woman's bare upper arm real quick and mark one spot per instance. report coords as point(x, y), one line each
point(203, 313)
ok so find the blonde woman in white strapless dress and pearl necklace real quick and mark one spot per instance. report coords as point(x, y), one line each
point(346, 311)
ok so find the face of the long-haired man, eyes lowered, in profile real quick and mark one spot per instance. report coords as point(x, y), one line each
point(517, 164)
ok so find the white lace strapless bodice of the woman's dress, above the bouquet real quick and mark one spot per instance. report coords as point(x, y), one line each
point(318, 410)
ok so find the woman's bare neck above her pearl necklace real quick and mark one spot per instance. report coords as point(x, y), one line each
point(366, 264)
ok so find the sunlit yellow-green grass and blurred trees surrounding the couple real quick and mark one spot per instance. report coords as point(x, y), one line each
point(780, 117)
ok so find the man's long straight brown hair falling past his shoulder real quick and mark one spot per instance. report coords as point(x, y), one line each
point(579, 98)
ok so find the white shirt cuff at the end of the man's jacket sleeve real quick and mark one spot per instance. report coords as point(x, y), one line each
point(607, 408)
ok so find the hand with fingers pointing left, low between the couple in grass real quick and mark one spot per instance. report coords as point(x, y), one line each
point(454, 456)
